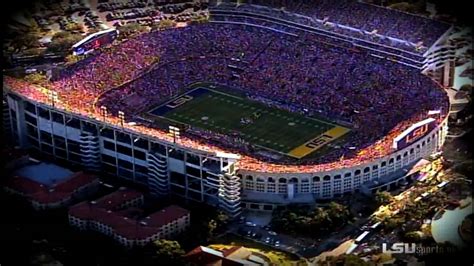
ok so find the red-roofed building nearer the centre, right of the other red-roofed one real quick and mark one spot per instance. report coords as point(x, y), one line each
point(117, 215)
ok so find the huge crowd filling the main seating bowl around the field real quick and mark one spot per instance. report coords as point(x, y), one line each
point(377, 97)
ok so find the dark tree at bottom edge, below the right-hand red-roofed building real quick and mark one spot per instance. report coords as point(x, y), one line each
point(168, 252)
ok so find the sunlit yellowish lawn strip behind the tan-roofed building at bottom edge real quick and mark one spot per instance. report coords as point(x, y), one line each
point(276, 257)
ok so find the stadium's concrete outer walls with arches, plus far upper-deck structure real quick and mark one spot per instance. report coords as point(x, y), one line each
point(216, 178)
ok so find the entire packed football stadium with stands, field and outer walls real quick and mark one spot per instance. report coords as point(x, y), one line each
point(257, 107)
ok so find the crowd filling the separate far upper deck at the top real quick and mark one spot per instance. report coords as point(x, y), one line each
point(365, 18)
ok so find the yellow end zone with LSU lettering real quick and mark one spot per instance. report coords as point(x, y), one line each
point(318, 142)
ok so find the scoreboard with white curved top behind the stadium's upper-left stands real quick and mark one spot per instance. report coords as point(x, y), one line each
point(94, 41)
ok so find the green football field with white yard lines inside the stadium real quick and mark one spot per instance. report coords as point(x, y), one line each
point(271, 128)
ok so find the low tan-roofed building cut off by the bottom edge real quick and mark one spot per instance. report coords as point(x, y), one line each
point(233, 256)
